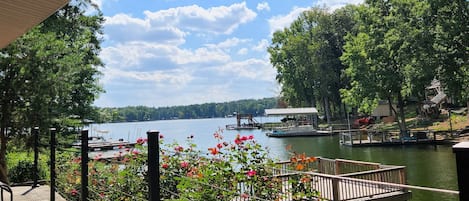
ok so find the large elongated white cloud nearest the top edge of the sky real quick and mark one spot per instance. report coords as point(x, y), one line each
point(216, 20)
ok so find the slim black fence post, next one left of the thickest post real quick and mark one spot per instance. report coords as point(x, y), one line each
point(84, 165)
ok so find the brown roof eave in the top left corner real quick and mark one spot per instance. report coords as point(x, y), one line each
point(18, 16)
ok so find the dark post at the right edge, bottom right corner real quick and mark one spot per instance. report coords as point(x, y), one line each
point(462, 165)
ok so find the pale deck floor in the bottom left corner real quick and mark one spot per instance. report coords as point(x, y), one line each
point(27, 193)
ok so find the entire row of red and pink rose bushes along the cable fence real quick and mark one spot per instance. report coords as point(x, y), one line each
point(229, 170)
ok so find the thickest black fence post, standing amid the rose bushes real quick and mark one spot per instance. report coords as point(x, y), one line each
point(153, 165)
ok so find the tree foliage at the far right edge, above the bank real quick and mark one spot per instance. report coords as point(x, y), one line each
point(451, 46)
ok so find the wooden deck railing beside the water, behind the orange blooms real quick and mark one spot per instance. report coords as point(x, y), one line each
point(339, 179)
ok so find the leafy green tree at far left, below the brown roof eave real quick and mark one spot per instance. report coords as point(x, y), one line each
point(49, 73)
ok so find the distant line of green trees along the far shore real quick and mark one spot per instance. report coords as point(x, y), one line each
point(206, 110)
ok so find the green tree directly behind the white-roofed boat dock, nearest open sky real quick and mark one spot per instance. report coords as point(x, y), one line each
point(306, 56)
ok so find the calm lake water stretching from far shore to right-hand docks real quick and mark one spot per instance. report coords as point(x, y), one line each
point(427, 165)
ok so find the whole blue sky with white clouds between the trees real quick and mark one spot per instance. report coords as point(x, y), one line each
point(182, 52)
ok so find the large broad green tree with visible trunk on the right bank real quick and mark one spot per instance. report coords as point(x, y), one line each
point(386, 58)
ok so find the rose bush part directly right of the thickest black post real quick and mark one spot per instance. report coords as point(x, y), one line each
point(227, 170)
